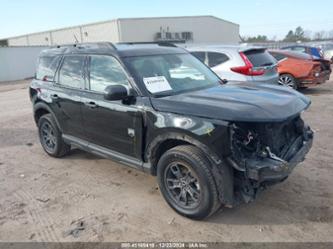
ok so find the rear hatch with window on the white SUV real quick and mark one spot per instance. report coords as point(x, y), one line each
point(261, 59)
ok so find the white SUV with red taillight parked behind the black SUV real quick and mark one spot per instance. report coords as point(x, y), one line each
point(238, 63)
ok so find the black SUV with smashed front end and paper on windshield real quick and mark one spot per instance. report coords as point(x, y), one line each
point(157, 108)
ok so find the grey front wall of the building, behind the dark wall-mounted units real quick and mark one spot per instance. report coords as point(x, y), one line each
point(205, 29)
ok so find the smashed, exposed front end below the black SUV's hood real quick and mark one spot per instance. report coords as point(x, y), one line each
point(262, 148)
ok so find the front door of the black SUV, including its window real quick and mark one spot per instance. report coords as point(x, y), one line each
point(114, 125)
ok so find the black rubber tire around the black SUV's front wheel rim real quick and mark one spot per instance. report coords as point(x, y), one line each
point(206, 202)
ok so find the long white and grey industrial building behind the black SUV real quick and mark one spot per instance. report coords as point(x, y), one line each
point(208, 29)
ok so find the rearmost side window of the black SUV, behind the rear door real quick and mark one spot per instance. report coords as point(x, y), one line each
point(47, 67)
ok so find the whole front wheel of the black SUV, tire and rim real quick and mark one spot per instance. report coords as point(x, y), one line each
point(190, 190)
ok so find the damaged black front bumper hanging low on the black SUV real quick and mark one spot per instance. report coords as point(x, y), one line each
point(271, 170)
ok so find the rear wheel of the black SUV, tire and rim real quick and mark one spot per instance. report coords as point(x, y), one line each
point(50, 137)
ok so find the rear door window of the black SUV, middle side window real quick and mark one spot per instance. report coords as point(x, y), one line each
point(71, 72)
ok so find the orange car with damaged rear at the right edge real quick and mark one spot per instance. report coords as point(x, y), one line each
point(299, 70)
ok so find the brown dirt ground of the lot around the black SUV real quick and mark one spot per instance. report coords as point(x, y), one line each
point(85, 198)
